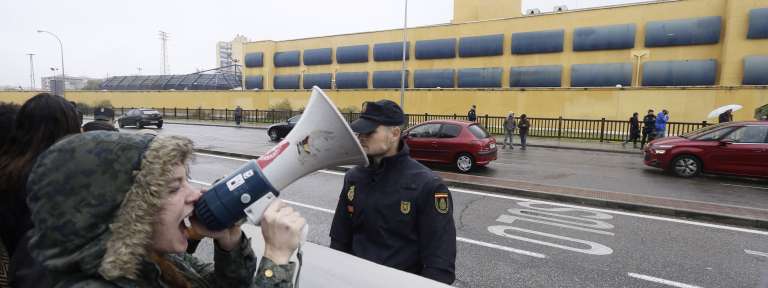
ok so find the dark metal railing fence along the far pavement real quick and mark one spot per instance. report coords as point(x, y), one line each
point(587, 129)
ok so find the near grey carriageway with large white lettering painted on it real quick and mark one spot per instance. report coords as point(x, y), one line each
point(517, 242)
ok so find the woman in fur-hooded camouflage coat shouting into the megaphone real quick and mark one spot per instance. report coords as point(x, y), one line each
point(133, 204)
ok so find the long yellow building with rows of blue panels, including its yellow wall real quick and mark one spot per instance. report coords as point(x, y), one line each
point(687, 56)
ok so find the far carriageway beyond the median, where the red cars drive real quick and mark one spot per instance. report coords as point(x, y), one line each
point(572, 168)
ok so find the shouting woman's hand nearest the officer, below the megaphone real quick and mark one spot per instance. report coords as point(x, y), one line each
point(281, 227)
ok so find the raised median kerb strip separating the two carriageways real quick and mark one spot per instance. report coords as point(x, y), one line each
point(720, 218)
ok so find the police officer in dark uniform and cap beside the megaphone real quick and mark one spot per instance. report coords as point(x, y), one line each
point(395, 212)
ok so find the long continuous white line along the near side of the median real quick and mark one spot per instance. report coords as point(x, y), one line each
point(674, 220)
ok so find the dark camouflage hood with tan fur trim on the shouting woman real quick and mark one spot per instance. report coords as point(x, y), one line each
point(94, 197)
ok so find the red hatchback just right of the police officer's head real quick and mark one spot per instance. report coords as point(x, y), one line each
point(463, 144)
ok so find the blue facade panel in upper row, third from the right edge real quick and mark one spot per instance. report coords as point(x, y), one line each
point(604, 38)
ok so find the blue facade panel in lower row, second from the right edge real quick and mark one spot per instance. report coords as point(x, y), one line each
point(679, 73)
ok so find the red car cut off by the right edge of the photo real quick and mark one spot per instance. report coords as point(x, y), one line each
point(738, 148)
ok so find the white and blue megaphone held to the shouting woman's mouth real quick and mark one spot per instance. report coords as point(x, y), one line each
point(321, 139)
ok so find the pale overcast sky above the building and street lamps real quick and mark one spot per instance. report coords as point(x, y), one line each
point(115, 38)
